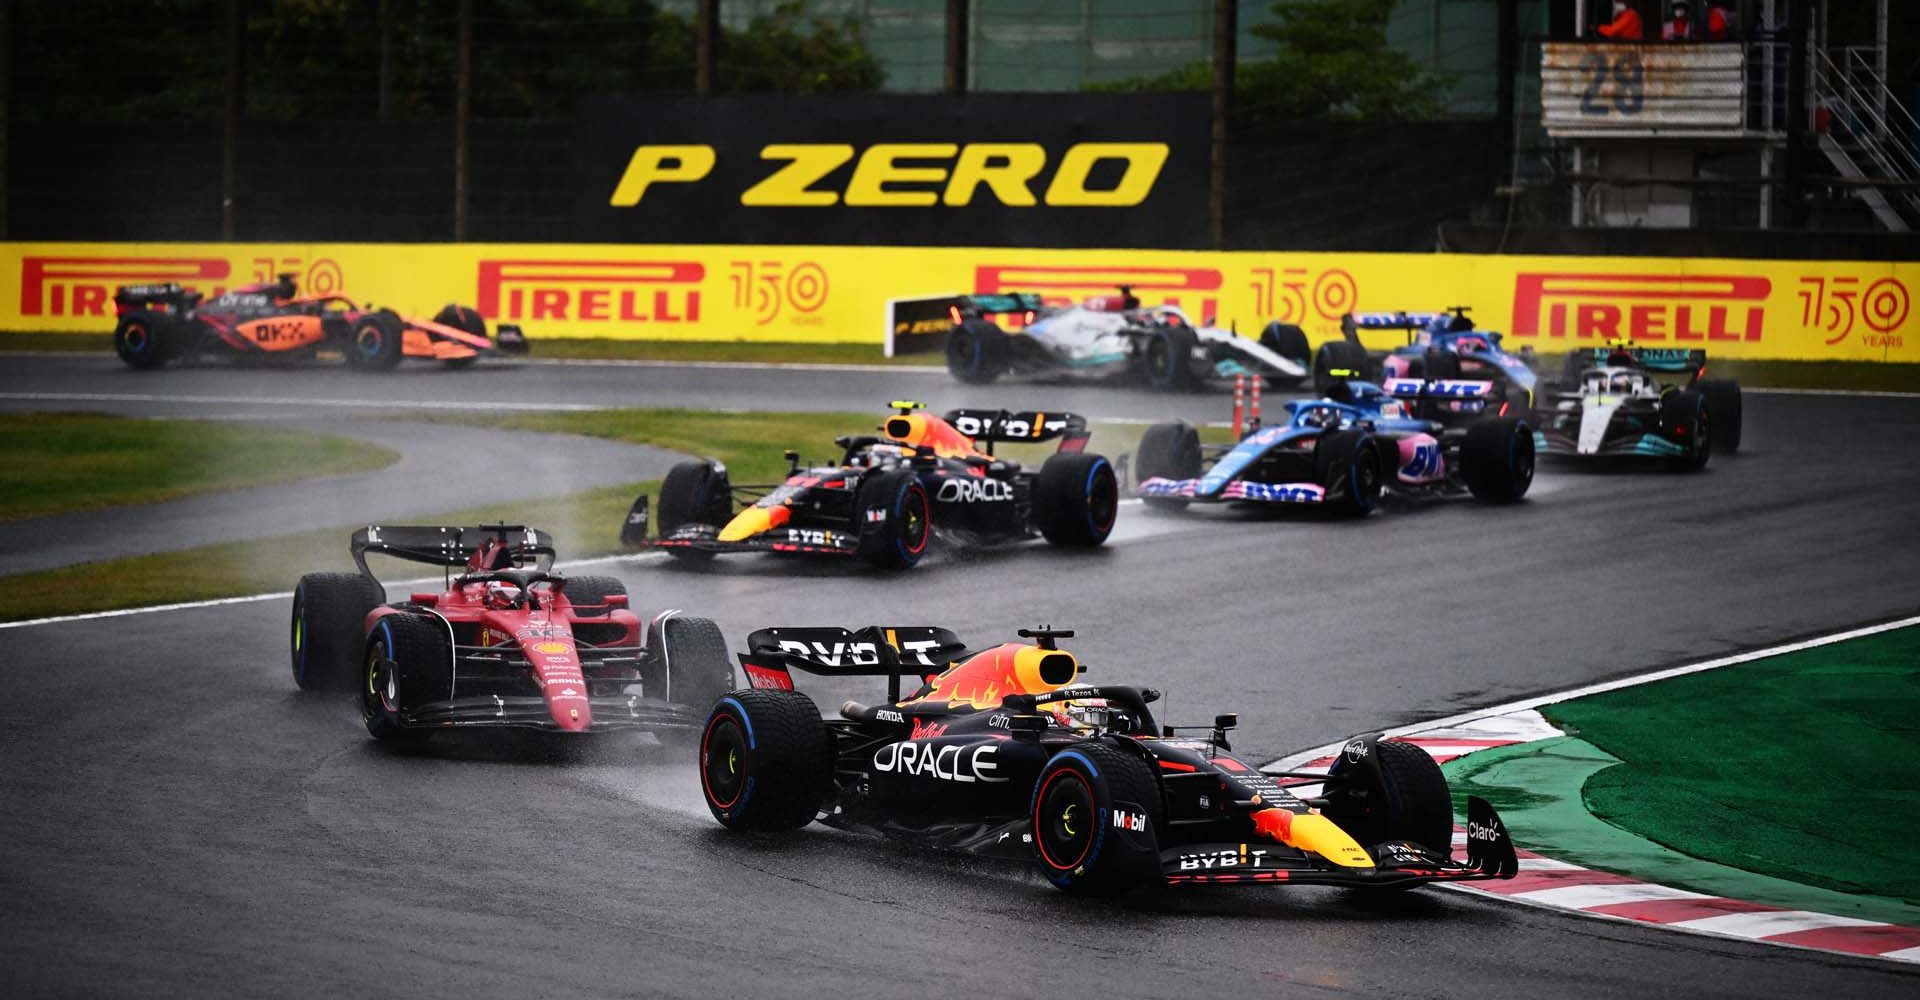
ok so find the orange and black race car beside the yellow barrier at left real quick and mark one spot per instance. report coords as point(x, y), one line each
point(160, 323)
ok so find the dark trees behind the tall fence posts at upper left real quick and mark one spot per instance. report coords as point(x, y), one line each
point(166, 60)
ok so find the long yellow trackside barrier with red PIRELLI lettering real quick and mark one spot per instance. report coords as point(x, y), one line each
point(1754, 310)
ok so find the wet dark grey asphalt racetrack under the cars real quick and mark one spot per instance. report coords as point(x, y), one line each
point(180, 821)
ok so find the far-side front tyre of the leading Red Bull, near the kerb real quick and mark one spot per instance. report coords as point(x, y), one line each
point(1406, 799)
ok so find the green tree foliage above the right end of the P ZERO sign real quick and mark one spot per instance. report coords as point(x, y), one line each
point(1330, 60)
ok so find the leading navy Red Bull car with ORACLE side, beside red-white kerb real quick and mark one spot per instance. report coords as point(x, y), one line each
point(1003, 751)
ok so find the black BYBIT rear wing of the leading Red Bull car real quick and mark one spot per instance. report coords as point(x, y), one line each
point(875, 652)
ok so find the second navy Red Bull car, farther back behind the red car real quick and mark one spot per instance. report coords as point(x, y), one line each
point(894, 494)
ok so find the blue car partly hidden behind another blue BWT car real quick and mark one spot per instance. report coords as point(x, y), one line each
point(1439, 346)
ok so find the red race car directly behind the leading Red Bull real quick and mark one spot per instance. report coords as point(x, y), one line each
point(504, 644)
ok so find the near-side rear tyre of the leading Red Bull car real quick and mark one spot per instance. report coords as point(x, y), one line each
point(765, 761)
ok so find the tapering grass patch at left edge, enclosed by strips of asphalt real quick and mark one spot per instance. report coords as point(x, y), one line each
point(85, 462)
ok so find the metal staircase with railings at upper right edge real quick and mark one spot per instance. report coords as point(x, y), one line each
point(1869, 135)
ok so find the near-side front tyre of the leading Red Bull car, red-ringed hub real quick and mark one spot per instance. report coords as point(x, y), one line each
point(1097, 815)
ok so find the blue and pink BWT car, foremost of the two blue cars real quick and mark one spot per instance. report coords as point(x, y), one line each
point(1349, 448)
